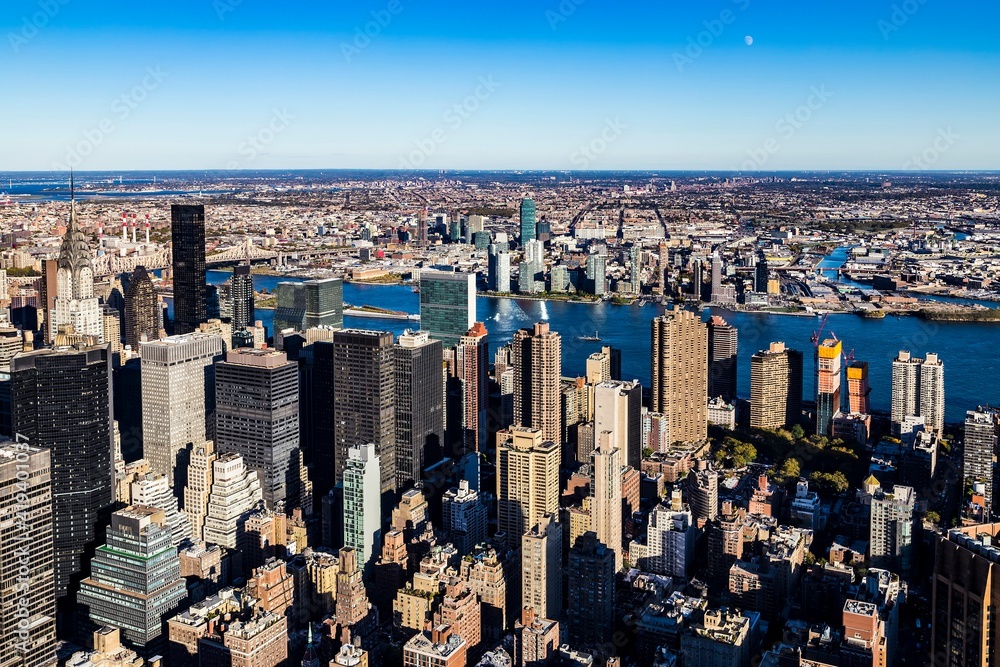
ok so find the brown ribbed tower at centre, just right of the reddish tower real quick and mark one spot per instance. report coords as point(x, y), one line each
point(537, 360)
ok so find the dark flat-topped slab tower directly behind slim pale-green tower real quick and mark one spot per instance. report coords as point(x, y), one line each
point(364, 400)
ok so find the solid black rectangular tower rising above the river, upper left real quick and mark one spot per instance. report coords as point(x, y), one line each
point(187, 228)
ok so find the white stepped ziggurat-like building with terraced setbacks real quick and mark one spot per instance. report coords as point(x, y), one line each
point(235, 494)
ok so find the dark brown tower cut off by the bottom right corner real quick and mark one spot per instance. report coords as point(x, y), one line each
point(966, 595)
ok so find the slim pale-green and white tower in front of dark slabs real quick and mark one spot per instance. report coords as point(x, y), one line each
point(362, 503)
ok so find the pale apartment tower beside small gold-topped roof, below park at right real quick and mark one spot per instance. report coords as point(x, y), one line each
point(891, 534)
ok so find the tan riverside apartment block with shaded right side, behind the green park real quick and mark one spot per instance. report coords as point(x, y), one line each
point(775, 387)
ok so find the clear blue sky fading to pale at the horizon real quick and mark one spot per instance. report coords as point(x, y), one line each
point(542, 84)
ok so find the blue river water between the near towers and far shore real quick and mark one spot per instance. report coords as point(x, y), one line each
point(968, 350)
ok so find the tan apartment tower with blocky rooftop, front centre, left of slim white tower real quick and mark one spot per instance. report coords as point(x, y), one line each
point(527, 480)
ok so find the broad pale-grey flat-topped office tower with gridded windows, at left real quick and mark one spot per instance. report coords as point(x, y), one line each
point(178, 398)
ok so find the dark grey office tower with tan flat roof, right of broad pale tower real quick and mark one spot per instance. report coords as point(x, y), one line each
point(257, 415)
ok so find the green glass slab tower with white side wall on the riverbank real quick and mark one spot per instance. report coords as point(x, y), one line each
point(447, 305)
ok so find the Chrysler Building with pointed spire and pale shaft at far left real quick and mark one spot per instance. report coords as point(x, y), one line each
point(75, 303)
